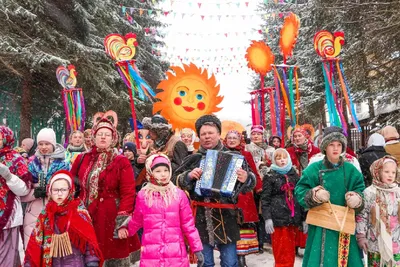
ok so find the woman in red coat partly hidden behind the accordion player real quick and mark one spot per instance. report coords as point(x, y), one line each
point(248, 242)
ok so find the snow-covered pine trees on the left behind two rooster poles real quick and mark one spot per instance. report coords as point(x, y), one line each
point(38, 36)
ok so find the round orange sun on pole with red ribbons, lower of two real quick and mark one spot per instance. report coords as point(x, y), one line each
point(260, 59)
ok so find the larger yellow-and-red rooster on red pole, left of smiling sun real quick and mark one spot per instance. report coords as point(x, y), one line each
point(122, 49)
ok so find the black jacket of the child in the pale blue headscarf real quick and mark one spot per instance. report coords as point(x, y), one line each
point(273, 200)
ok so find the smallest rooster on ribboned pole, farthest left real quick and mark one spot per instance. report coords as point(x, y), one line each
point(74, 103)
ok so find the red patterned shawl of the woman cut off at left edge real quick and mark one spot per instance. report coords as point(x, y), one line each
point(16, 163)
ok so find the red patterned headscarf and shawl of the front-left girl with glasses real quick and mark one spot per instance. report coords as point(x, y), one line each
point(72, 216)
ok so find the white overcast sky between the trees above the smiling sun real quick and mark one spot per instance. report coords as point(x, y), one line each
point(226, 28)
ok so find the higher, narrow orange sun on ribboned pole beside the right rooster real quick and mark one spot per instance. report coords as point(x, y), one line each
point(285, 76)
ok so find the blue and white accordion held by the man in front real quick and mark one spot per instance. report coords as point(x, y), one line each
point(219, 174)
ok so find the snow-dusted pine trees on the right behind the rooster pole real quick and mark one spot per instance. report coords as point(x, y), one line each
point(370, 55)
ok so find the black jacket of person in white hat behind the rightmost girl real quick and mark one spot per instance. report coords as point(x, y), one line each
point(368, 156)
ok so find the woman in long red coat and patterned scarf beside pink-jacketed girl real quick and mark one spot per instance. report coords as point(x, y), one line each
point(107, 188)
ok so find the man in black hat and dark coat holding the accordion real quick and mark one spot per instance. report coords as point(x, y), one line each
point(216, 216)
